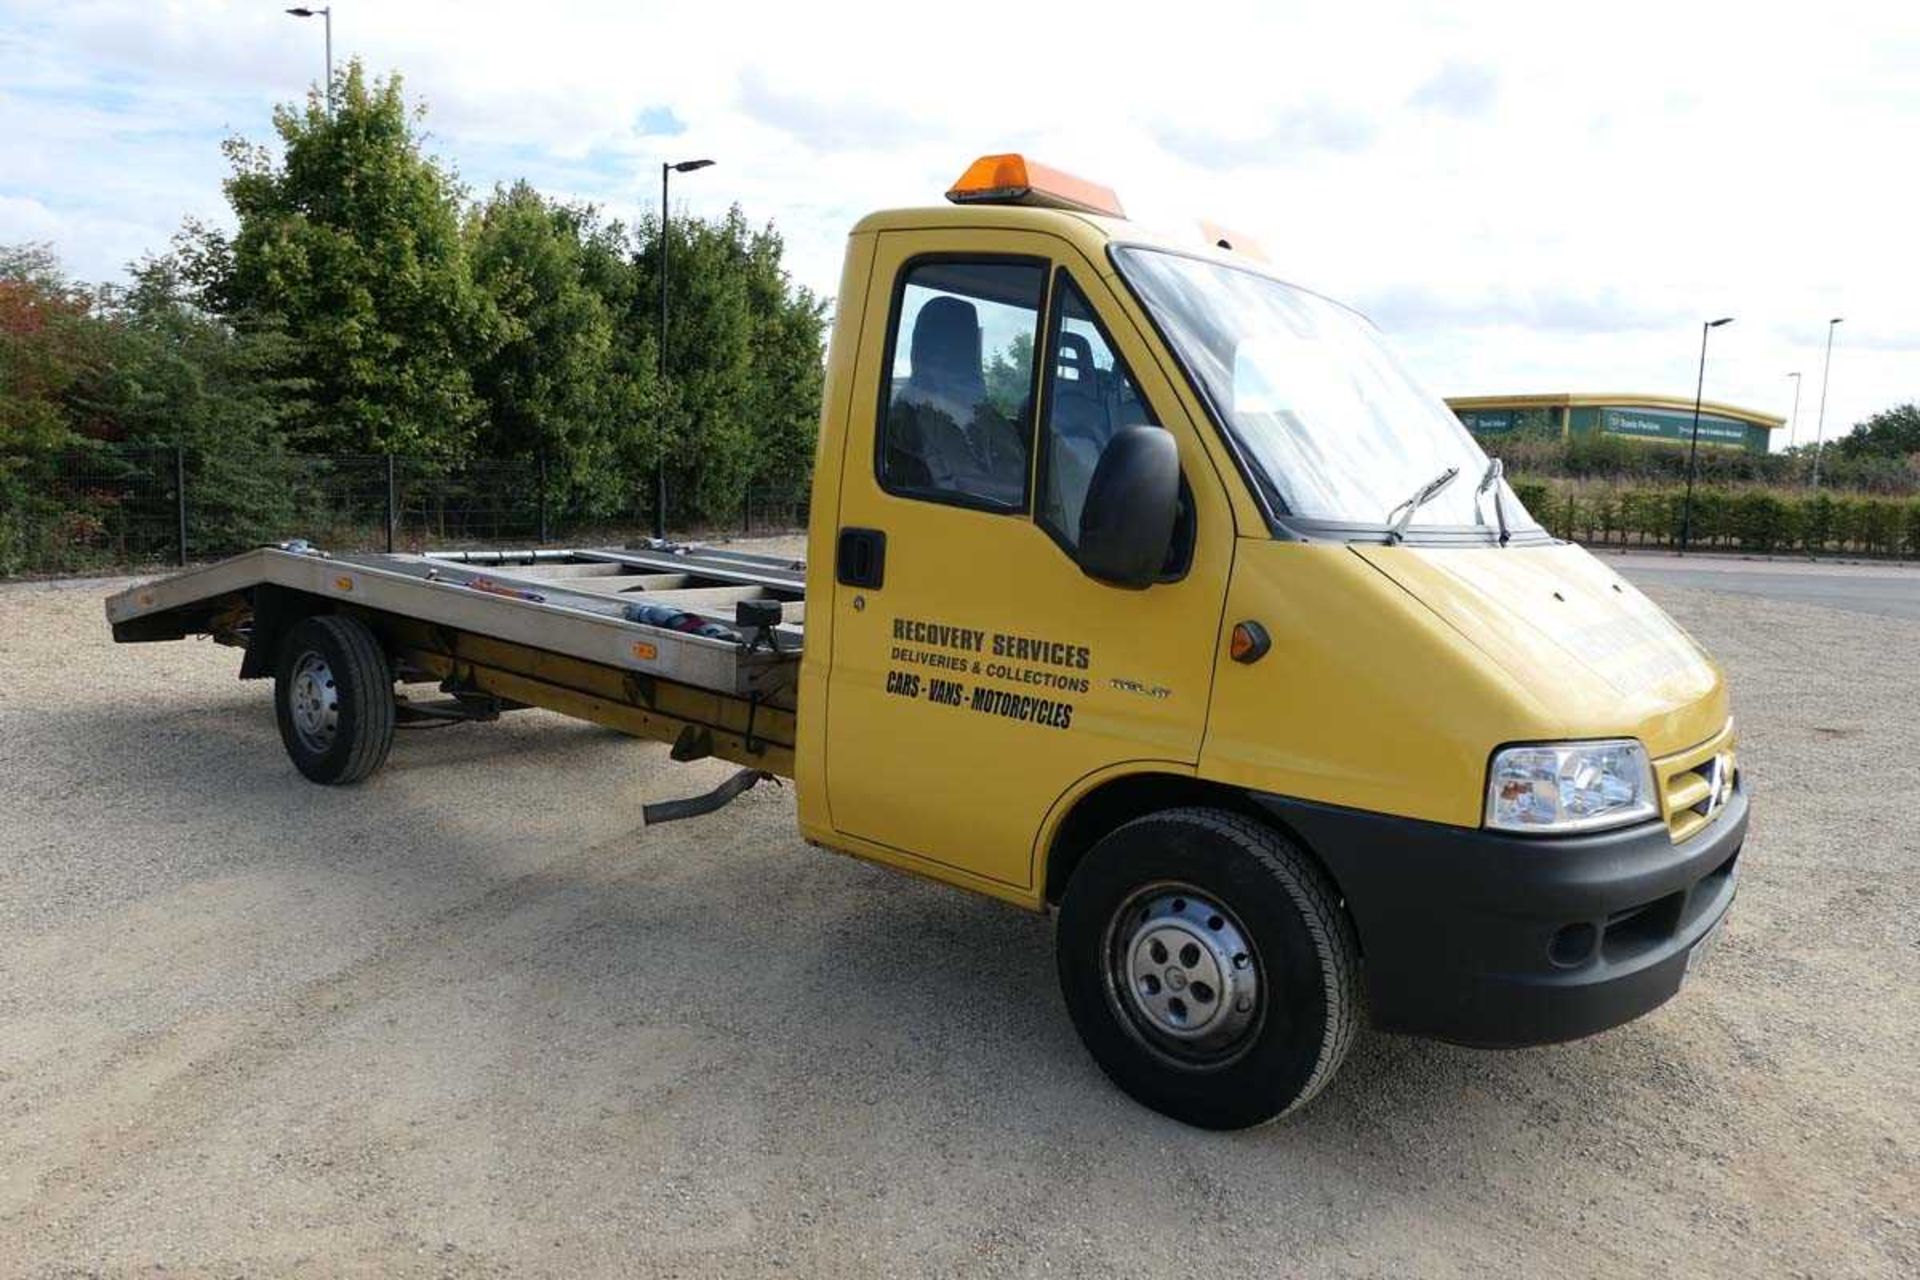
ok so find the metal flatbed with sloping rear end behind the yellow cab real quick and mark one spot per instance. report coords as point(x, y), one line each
point(692, 646)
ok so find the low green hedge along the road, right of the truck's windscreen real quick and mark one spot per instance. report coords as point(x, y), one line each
point(1760, 519)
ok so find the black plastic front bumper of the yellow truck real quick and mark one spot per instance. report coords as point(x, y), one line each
point(1493, 939)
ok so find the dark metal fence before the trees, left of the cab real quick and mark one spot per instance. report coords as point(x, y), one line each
point(114, 508)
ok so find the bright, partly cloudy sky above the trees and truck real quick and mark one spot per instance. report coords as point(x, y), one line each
point(1524, 197)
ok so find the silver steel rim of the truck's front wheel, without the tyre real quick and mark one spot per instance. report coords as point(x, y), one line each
point(1184, 974)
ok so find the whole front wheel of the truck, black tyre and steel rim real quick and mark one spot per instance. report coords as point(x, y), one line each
point(1209, 968)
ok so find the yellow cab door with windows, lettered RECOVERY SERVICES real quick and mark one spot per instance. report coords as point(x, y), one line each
point(978, 675)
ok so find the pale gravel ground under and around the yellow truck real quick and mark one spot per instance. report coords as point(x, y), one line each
point(469, 1020)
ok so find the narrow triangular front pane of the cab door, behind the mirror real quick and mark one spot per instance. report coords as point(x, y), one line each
point(1092, 396)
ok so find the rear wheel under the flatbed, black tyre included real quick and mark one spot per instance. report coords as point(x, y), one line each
point(333, 696)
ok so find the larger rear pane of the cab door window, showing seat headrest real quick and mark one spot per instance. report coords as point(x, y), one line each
point(961, 392)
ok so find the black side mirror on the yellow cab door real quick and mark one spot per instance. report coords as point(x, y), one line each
point(1132, 504)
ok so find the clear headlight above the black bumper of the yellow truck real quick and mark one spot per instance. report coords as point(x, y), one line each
point(1572, 788)
